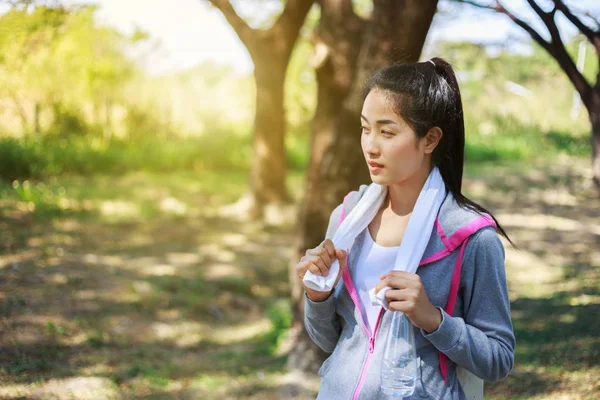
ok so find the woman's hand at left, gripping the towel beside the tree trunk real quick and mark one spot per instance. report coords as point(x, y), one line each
point(318, 261)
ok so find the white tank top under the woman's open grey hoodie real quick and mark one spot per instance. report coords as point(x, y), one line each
point(373, 261)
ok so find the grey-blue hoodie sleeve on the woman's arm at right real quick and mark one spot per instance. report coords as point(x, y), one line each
point(482, 341)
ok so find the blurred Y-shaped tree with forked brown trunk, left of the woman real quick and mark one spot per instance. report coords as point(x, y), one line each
point(270, 50)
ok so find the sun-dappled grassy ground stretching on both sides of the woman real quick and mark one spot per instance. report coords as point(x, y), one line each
point(141, 287)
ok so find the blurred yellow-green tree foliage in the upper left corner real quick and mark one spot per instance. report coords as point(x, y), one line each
point(41, 46)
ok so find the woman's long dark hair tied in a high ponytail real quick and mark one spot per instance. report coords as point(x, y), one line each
point(426, 95)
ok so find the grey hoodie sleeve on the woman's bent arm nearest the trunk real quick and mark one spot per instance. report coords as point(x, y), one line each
point(320, 319)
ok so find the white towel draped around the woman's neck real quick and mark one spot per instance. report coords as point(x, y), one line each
point(415, 238)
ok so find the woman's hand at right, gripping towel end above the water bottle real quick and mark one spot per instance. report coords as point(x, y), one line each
point(408, 295)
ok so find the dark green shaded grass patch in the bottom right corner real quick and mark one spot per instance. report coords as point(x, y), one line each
point(552, 336)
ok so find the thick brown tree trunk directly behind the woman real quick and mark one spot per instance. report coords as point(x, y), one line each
point(395, 32)
